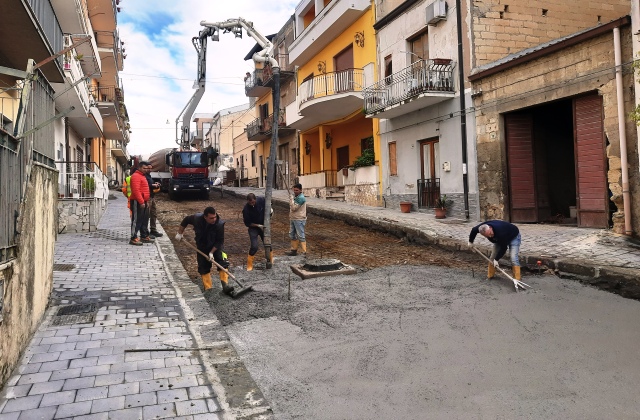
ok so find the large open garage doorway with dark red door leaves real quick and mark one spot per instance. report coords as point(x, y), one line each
point(557, 163)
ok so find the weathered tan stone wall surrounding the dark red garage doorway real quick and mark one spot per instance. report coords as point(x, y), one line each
point(583, 68)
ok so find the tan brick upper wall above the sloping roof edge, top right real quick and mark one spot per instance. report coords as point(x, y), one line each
point(501, 28)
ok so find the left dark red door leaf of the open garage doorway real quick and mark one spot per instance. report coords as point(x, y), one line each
point(521, 164)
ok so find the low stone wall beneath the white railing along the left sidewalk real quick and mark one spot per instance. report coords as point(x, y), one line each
point(81, 215)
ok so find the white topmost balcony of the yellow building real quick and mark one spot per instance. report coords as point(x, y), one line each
point(332, 19)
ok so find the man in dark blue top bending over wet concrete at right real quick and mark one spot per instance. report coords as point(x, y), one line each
point(502, 235)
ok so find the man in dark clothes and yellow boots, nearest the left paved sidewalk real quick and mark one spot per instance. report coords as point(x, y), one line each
point(209, 230)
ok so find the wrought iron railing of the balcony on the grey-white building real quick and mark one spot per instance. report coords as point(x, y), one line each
point(423, 76)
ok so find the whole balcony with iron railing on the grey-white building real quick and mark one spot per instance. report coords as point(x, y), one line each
point(422, 84)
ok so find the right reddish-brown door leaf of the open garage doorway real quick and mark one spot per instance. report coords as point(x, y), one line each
point(592, 200)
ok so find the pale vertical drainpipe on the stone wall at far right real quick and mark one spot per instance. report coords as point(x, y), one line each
point(626, 198)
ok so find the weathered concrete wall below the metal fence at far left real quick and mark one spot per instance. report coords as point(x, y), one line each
point(28, 280)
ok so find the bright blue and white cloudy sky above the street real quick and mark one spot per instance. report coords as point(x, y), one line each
point(161, 64)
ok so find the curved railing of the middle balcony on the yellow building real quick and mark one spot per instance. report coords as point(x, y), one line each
point(350, 80)
